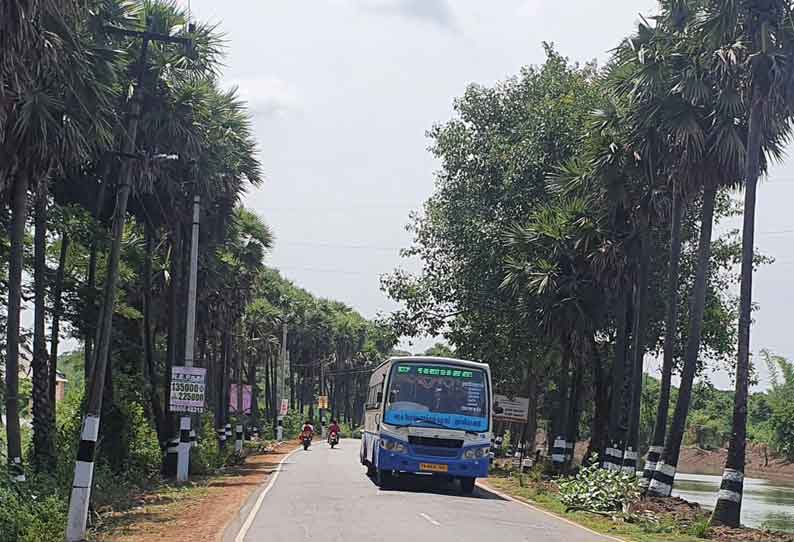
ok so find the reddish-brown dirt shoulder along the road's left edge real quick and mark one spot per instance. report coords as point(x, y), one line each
point(200, 512)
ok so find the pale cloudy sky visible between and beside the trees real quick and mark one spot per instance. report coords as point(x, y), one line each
point(342, 93)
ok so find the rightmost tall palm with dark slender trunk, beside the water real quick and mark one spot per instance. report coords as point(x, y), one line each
point(764, 27)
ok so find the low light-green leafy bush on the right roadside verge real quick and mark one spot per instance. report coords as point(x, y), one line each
point(598, 490)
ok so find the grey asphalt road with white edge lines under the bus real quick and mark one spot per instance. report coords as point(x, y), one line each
point(325, 495)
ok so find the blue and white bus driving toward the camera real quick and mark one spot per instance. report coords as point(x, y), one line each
point(428, 415)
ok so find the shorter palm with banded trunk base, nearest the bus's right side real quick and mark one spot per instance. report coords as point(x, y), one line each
point(550, 272)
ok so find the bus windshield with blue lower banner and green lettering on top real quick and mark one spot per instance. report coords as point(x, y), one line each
point(448, 396)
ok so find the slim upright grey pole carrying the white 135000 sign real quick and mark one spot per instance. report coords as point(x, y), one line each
point(183, 457)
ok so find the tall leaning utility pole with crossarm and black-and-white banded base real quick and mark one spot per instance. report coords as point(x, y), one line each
point(84, 464)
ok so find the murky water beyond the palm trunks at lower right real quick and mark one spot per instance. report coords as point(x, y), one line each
point(766, 504)
